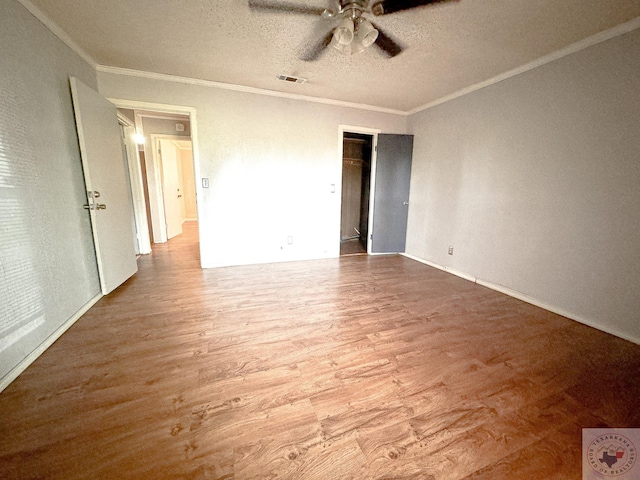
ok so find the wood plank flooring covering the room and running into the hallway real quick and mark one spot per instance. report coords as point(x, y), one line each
point(353, 368)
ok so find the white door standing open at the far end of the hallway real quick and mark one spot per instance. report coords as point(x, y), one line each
point(171, 188)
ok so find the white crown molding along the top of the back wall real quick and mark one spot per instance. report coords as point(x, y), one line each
point(241, 88)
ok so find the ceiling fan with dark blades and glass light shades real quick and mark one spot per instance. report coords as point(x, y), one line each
point(353, 31)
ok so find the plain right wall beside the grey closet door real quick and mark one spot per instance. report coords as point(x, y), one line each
point(535, 181)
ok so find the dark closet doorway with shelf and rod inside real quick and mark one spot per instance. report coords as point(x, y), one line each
point(357, 156)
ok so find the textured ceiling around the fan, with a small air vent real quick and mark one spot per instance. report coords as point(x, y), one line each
point(448, 46)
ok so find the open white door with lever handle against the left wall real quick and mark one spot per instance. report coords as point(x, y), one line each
point(108, 194)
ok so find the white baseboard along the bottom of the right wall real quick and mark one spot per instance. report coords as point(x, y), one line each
point(530, 300)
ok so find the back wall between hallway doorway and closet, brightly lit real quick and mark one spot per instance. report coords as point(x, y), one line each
point(270, 163)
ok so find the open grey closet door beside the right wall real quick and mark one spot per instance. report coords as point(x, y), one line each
point(391, 197)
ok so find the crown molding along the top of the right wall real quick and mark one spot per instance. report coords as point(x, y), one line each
point(563, 52)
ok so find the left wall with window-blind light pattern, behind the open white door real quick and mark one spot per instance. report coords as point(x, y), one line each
point(48, 271)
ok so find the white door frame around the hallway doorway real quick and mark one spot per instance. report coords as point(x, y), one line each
point(182, 110)
